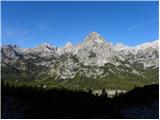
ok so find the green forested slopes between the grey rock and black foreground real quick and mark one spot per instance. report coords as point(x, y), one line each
point(121, 77)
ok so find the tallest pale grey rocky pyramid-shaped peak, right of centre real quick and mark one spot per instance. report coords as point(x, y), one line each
point(95, 50)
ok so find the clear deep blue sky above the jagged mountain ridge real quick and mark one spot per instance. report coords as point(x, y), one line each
point(29, 24)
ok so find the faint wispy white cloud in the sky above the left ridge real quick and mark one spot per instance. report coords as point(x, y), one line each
point(21, 35)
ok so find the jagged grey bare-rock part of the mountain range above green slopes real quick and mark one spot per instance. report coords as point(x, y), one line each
point(88, 58)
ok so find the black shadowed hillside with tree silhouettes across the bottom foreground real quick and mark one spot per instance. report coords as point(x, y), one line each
point(34, 102)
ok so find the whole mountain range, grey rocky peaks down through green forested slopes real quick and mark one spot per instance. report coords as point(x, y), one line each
point(95, 63)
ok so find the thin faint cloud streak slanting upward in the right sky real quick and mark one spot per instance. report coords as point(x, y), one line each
point(142, 24)
